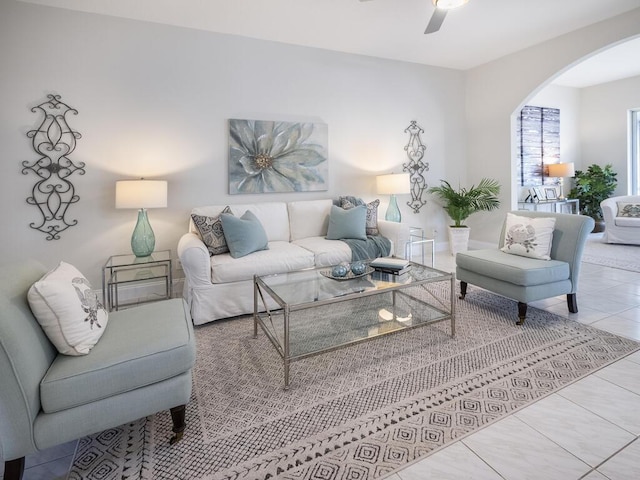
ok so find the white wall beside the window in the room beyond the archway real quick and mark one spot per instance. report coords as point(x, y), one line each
point(604, 126)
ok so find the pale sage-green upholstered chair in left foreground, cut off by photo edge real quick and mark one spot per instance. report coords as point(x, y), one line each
point(141, 365)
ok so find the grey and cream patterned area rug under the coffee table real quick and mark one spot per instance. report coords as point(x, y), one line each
point(361, 412)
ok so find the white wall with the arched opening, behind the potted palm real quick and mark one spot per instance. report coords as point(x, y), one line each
point(497, 90)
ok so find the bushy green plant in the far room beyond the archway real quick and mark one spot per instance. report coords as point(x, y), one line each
point(592, 186)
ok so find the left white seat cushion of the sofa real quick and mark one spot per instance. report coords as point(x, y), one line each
point(280, 257)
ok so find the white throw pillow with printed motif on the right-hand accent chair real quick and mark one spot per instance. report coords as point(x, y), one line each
point(529, 237)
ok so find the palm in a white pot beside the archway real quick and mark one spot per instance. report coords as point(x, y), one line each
point(460, 203)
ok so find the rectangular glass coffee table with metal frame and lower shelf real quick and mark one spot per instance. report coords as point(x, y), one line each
point(307, 312)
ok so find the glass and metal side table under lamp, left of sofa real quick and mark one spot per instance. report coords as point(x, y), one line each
point(121, 270)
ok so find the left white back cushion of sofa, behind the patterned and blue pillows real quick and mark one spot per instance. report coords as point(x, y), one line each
point(272, 215)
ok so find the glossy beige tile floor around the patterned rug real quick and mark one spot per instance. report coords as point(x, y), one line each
point(588, 430)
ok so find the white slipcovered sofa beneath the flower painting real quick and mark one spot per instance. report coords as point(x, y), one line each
point(220, 286)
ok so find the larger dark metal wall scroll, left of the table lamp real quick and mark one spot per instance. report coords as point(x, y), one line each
point(53, 193)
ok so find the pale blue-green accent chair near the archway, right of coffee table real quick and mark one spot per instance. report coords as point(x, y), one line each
point(526, 279)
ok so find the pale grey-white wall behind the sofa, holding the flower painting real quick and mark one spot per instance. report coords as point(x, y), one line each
point(154, 101)
